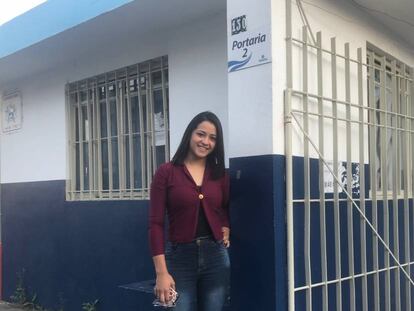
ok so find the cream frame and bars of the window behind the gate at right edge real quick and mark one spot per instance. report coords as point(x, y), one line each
point(400, 80)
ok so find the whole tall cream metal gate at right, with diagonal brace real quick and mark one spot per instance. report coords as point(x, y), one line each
point(389, 126)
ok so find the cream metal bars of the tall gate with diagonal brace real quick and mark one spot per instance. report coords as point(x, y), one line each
point(392, 123)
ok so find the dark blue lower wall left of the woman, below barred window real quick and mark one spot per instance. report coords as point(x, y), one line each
point(73, 252)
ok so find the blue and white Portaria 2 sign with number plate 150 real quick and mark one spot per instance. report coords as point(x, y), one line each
point(249, 44)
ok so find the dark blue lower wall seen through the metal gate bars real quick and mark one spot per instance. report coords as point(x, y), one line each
point(315, 256)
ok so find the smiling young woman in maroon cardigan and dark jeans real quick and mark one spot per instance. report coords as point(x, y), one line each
point(193, 191)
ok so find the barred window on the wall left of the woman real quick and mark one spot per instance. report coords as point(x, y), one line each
point(118, 131)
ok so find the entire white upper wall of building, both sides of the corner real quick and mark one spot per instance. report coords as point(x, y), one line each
point(249, 102)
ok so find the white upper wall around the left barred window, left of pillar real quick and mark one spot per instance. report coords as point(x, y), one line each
point(198, 81)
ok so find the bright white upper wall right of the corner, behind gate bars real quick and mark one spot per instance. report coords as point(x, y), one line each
point(347, 23)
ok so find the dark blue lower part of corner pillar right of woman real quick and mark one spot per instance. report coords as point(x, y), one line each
point(258, 233)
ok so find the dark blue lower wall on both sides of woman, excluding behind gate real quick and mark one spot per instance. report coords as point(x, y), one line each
point(81, 251)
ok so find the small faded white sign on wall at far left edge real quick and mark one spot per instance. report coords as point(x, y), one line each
point(12, 112)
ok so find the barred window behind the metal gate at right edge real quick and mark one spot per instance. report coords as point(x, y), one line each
point(390, 124)
